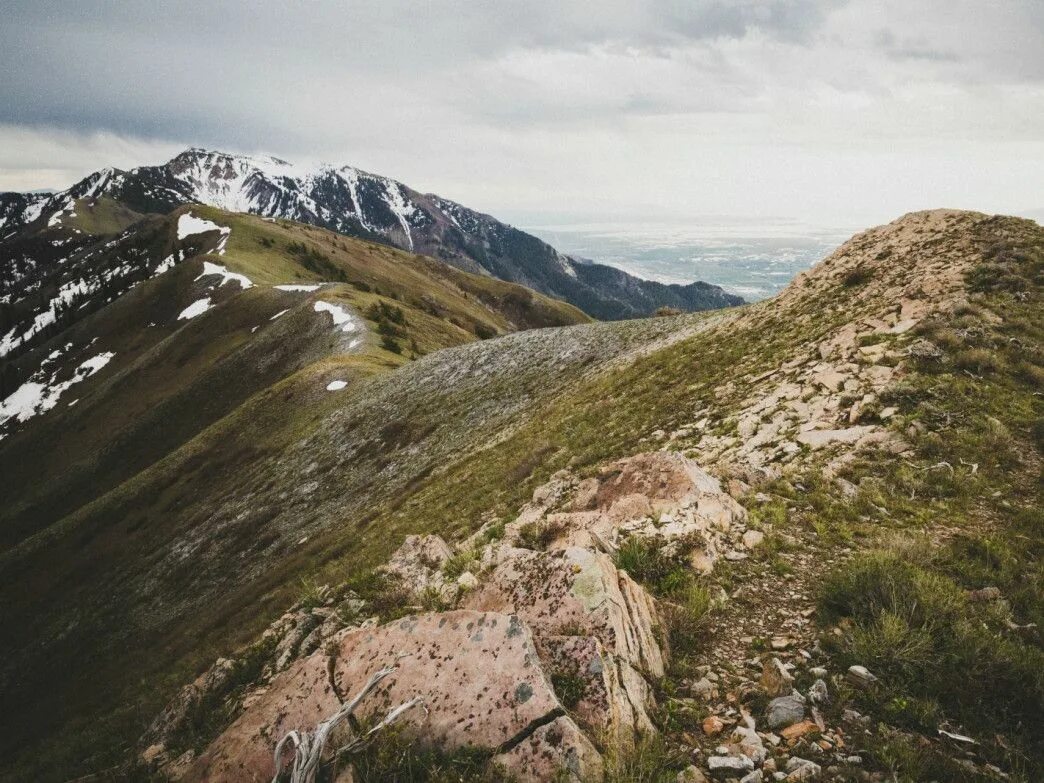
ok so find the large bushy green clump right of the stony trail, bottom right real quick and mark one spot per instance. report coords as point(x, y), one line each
point(917, 631)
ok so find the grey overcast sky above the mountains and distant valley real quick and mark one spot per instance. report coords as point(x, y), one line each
point(832, 112)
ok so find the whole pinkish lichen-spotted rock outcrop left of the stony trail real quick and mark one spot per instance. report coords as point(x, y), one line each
point(551, 649)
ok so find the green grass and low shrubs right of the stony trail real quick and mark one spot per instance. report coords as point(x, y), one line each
point(906, 609)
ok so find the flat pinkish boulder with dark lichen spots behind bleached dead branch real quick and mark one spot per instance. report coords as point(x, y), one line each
point(478, 673)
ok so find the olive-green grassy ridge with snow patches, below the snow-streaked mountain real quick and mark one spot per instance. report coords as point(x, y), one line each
point(217, 396)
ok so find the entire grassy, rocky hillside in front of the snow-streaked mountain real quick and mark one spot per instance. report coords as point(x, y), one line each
point(800, 538)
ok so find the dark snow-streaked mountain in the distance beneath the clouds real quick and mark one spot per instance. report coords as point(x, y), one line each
point(355, 203)
